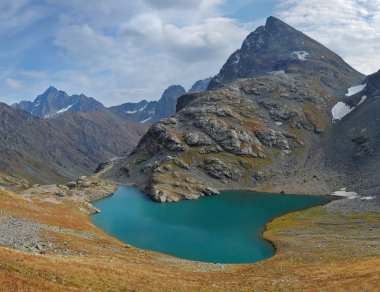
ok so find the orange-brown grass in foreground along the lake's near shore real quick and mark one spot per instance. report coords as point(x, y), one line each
point(316, 250)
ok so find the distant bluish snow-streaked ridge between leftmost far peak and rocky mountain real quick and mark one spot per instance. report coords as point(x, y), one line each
point(151, 112)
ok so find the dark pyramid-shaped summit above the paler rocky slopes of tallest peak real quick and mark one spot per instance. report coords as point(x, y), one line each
point(278, 46)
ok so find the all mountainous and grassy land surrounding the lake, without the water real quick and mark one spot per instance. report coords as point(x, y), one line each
point(284, 115)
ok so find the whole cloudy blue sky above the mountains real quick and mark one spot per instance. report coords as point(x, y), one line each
point(119, 51)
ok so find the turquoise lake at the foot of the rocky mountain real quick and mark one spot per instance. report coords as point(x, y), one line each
point(226, 228)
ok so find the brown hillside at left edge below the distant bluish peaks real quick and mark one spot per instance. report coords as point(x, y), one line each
point(61, 148)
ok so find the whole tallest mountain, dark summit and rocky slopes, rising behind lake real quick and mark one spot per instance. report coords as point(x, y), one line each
point(263, 125)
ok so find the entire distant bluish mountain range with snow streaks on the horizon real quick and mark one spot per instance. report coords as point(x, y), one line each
point(54, 102)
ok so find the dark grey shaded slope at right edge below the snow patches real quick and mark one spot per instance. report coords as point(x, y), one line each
point(354, 142)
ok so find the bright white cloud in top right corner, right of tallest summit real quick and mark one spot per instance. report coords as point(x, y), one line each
point(351, 28)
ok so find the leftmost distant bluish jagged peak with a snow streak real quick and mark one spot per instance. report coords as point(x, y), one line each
point(54, 102)
